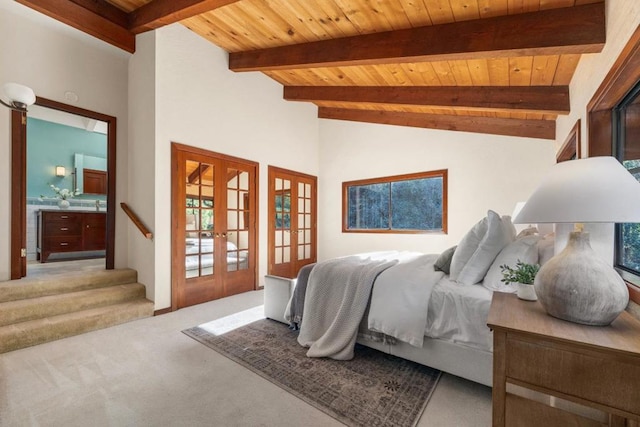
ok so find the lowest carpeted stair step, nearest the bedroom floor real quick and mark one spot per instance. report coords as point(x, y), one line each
point(33, 332)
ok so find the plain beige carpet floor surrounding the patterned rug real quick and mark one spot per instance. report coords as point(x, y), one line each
point(148, 373)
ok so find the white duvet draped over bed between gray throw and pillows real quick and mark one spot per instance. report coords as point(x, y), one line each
point(411, 300)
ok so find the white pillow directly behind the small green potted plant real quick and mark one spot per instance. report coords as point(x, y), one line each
point(524, 249)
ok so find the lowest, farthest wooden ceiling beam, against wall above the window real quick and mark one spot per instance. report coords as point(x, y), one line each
point(543, 129)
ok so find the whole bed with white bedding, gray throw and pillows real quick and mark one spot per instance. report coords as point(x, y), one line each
point(447, 320)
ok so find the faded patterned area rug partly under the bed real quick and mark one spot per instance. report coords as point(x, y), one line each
point(373, 389)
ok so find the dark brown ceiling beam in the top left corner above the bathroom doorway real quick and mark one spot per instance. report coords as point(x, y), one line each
point(88, 20)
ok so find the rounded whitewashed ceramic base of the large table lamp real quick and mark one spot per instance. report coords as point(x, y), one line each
point(576, 285)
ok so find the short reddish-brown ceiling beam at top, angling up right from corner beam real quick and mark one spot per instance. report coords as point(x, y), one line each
point(159, 13)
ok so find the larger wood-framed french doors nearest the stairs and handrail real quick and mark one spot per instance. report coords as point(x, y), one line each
point(214, 225)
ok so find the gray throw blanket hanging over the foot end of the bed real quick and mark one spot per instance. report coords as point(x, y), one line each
point(336, 298)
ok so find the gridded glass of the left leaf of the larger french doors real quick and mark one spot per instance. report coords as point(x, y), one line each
point(199, 222)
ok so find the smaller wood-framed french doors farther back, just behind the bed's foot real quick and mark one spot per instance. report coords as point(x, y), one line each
point(292, 221)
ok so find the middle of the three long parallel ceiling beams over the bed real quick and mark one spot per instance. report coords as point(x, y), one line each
point(529, 99)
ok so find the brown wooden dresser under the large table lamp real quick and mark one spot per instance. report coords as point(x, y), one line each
point(549, 372)
